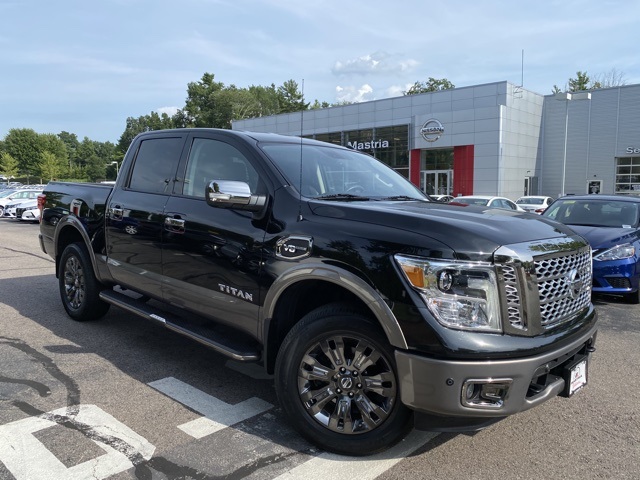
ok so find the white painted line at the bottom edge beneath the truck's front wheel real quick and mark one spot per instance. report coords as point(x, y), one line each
point(328, 466)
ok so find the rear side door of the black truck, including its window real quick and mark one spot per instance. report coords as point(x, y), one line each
point(135, 212)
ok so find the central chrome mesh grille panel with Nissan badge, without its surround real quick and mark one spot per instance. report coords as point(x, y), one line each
point(564, 286)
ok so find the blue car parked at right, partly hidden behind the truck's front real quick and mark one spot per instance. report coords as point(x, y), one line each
point(610, 224)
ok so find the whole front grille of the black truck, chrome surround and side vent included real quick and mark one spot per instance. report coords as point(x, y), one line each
point(544, 284)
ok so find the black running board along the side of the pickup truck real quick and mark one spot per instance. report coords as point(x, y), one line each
point(219, 338)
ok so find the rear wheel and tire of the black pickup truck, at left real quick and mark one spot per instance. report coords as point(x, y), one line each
point(79, 287)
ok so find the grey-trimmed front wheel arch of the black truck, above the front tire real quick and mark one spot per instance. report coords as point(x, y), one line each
point(306, 287)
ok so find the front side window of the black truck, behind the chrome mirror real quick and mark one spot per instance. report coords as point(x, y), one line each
point(215, 160)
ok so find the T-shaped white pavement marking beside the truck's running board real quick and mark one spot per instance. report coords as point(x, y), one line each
point(217, 414)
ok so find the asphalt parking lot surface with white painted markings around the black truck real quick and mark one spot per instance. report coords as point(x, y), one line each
point(122, 398)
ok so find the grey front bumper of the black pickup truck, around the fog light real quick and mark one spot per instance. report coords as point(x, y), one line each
point(437, 387)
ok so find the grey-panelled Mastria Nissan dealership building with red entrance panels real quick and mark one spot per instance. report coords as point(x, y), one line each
point(491, 139)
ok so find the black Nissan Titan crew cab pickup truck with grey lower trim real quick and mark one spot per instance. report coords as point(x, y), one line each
point(376, 309)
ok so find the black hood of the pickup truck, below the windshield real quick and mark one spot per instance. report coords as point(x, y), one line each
point(472, 232)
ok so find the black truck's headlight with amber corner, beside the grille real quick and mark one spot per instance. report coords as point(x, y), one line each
point(459, 295)
